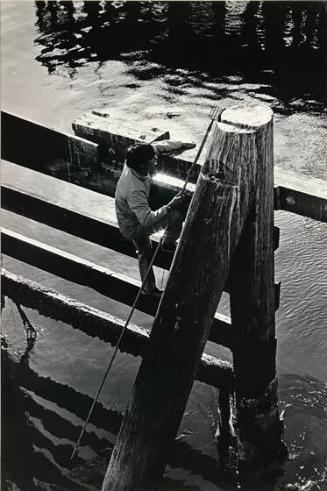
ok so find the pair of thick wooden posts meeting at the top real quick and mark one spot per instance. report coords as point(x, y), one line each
point(233, 199)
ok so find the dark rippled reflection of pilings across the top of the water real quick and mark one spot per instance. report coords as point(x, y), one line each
point(280, 44)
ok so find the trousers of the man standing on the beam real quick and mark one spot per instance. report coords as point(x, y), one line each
point(173, 227)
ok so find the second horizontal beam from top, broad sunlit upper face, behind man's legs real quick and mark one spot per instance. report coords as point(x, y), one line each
point(69, 208)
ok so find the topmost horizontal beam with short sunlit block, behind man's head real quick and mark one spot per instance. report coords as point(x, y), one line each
point(298, 194)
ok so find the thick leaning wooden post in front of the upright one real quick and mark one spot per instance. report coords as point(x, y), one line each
point(223, 195)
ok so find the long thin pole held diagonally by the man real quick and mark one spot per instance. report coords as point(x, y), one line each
point(214, 115)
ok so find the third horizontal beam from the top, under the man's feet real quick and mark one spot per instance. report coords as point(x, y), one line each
point(116, 286)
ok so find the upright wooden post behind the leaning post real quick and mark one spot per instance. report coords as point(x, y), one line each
point(253, 311)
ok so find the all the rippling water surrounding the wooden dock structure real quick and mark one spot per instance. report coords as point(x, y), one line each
point(166, 62)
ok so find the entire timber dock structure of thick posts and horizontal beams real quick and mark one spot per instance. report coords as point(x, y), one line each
point(229, 230)
